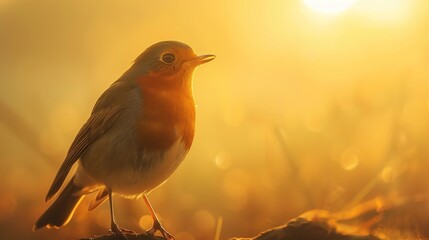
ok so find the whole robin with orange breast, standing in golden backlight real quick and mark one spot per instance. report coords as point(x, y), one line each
point(139, 131)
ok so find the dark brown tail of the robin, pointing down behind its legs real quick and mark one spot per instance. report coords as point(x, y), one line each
point(61, 211)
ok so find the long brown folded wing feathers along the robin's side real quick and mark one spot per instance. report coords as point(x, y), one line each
point(96, 125)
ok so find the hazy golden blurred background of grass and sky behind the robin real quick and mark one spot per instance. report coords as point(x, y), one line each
point(300, 110)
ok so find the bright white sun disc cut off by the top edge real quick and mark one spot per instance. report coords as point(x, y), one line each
point(329, 6)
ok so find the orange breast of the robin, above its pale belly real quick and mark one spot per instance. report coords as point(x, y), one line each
point(167, 114)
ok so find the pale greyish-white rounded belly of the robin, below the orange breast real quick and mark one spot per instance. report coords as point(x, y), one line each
point(125, 169)
